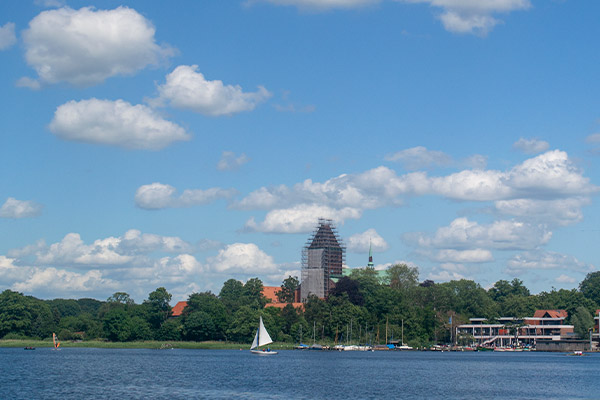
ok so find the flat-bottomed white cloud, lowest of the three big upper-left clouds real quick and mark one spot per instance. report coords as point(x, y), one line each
point(115, 123)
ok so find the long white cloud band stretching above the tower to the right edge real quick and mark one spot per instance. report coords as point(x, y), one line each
point(549, 175)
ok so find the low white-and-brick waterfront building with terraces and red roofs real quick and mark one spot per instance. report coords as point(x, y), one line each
point(508, 331)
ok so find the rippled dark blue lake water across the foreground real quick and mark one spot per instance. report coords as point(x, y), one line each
point(75, 373)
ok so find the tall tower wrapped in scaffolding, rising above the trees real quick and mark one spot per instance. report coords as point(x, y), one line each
point(322, 260)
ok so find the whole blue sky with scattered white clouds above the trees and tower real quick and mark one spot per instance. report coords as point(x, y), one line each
point(180, 144)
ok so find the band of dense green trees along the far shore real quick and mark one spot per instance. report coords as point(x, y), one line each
point(364, 307)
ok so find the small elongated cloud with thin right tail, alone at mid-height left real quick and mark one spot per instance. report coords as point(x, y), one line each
point(157, 196)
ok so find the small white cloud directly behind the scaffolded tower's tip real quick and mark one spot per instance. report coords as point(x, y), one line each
point(300, 218)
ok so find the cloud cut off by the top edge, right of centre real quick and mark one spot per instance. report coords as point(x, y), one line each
point(472, 16)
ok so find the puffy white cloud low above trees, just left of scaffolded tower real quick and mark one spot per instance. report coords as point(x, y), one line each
point(242, 258)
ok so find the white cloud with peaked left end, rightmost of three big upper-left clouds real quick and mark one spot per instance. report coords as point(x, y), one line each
point(186, 88)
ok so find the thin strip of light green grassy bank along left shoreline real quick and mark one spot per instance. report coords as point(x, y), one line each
point(150, 344)
